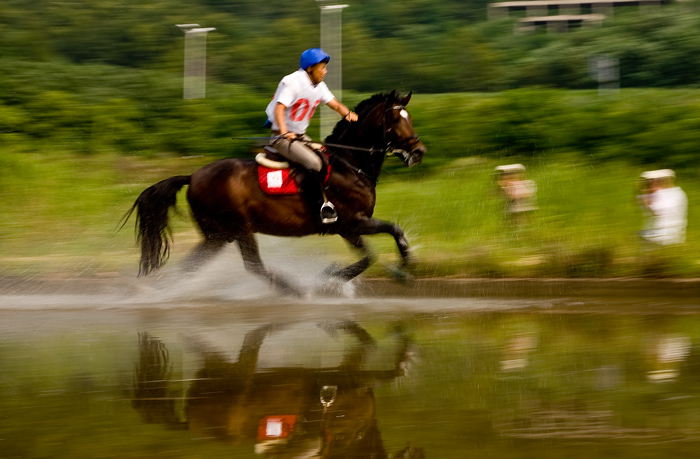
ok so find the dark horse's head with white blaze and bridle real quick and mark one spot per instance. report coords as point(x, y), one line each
point(398, 131)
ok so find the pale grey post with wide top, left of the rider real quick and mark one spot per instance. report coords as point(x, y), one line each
point(194, 80)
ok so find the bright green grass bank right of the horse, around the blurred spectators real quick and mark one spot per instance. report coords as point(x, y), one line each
point(585, 226)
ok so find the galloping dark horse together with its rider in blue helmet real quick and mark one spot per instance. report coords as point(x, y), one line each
point(231, 199)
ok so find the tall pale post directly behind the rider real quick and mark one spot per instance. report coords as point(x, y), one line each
point(331, 42)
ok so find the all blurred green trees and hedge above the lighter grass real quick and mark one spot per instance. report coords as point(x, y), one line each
point(94, 76)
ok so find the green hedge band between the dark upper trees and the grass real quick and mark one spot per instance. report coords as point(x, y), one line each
point(147, 116)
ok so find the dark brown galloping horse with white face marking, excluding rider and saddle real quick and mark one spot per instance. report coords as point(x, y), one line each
point(228, 204)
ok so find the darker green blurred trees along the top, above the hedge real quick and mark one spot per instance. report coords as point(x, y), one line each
point(424, 45)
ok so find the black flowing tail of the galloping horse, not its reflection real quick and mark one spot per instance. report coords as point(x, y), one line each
point(153, 233)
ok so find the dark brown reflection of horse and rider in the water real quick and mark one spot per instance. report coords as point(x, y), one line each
point(294, 411)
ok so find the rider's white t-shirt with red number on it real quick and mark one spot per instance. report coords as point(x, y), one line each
point(301, 97)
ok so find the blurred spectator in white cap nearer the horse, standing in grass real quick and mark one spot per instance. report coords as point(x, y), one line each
point(518, 193)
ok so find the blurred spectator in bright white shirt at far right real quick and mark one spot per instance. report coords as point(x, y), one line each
point(667, 208)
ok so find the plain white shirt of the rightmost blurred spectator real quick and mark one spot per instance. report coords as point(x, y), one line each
point(669, 208)
